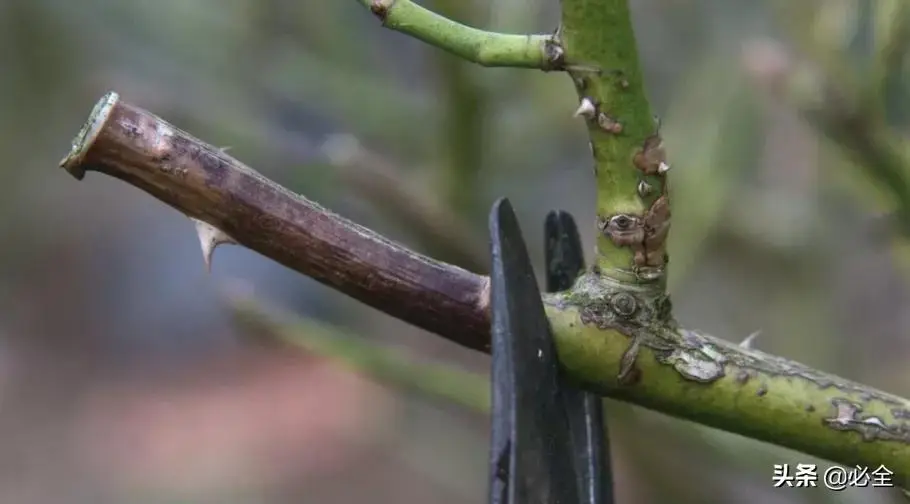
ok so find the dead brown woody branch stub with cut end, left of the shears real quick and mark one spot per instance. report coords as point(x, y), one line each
point(201, 181)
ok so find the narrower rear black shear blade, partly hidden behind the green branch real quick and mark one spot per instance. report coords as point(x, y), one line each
point(565, 261)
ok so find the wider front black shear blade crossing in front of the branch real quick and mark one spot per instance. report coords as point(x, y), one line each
point(531, 456)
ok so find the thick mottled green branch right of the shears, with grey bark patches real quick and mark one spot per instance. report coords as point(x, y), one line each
point(698, 377)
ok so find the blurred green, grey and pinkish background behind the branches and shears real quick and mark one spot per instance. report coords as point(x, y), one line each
point(128, 375)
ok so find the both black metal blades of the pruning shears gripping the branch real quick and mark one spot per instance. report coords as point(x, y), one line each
point(547, 444)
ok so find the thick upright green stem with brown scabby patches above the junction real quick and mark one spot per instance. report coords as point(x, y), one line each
point(598, 35)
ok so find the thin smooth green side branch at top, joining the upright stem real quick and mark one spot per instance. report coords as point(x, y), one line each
point(482, 47)
